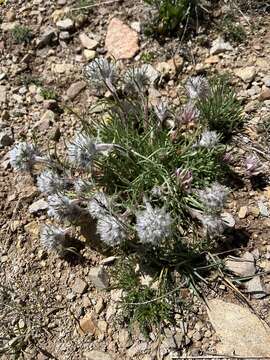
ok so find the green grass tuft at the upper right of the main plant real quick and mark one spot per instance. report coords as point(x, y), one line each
point(221, 110)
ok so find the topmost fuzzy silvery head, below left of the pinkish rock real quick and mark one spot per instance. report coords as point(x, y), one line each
point(102, 74)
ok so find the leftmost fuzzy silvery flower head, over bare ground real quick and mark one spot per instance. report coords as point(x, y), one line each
point(23, 156)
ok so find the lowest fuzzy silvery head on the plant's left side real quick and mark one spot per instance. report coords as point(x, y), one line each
point(53, 238)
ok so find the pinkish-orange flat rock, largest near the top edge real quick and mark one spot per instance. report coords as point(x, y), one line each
point(121, 41)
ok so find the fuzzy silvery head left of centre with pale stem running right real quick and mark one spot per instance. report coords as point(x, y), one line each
point(81, 151)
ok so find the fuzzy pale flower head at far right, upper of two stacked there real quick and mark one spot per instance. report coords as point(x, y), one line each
point(214, 197)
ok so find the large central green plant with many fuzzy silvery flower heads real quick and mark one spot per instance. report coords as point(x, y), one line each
point(149, 177)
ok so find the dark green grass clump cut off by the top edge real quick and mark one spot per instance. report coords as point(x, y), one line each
point(173, 16)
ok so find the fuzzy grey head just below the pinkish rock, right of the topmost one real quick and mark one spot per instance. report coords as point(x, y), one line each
point(136, 80)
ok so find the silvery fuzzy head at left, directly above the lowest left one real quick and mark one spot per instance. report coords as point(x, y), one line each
point(62, 208)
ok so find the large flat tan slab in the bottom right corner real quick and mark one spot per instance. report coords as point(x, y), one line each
point(241, 332)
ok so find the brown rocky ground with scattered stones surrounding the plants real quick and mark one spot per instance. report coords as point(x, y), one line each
point(71, 313)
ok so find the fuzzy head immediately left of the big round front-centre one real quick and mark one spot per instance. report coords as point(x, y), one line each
point(111, 230)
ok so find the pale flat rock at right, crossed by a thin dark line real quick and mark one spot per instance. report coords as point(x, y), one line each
point(244, 266)
